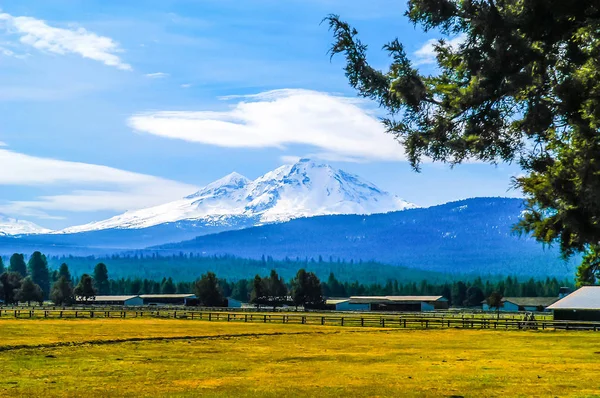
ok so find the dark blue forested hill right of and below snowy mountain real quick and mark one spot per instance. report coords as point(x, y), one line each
point(473, 236)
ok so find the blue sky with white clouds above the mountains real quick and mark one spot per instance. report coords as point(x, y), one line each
point(109, 105)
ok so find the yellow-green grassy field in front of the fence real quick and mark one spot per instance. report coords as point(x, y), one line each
point(193, 358)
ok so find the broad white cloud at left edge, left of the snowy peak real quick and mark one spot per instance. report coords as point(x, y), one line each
point(83, 187)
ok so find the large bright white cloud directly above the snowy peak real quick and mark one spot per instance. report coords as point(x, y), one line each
point(336, 126)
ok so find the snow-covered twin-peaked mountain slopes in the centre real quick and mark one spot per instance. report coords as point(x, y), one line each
point(303, 189)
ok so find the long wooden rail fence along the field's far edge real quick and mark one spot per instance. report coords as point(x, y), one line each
point(380, 321)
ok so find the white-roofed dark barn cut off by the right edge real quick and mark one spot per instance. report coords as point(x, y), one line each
point(581, 305)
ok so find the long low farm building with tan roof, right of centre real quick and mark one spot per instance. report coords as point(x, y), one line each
point(389, 303)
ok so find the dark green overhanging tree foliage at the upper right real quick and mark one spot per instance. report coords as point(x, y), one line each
point(522, 87)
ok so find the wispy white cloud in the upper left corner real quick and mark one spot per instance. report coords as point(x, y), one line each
point(38, 34)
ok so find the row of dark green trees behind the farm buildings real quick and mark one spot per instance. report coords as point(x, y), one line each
point(34, 281)
